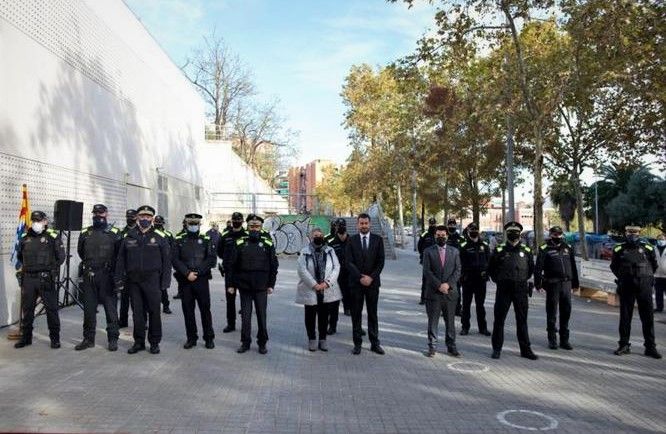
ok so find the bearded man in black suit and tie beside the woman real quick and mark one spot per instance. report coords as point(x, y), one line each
point(365, 261)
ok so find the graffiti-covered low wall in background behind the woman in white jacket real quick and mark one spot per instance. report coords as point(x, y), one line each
point(292, 232)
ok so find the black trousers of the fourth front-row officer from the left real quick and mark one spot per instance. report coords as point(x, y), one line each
point(197, 293)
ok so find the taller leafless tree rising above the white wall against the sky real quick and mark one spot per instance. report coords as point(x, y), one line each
point(221, 79)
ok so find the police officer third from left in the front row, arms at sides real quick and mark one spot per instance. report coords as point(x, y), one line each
point(144, 266)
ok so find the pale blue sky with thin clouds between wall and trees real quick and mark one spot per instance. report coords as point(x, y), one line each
point(298, 51)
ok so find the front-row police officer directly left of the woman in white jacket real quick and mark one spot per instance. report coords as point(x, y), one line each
point(253, 269)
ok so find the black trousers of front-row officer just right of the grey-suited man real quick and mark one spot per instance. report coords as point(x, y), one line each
point(507, 294)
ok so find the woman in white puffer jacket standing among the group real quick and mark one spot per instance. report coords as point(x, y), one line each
point(317, 289)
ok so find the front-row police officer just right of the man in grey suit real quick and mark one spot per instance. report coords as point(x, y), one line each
point(511, 265)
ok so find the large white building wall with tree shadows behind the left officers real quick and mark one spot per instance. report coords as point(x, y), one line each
point(91, 109)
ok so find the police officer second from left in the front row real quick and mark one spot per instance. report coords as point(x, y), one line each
point(98, 250)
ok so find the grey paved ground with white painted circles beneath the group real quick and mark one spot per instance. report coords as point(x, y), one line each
point(293, 390)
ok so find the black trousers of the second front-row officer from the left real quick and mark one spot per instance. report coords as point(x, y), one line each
point(98, 289)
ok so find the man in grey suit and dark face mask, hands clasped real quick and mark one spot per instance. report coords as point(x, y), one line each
point(441, 272)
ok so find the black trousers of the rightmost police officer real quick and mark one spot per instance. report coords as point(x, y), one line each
point(643, 297)
